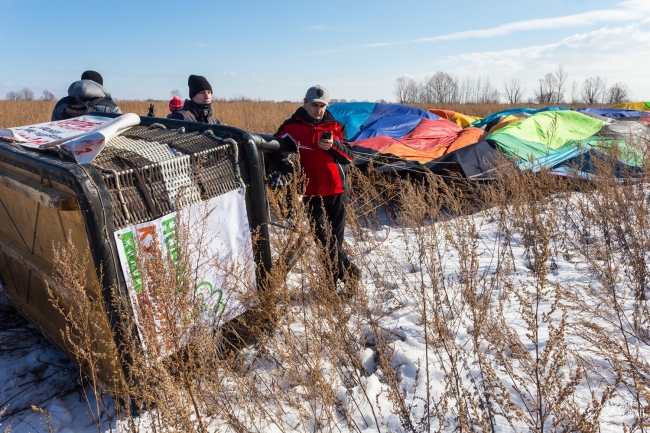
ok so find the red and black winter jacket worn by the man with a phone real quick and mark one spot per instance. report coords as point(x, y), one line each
point(325, 171)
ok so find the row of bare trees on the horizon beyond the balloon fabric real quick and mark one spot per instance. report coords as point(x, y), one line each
point(553, 88)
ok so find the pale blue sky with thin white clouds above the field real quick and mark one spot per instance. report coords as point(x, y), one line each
point(355, 48)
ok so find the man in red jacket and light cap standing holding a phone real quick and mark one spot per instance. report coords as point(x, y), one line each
point(324, 154)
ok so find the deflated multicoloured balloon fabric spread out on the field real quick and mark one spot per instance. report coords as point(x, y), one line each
point(402, 138)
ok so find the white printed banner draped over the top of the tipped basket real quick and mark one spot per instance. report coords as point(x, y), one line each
point(84, 137)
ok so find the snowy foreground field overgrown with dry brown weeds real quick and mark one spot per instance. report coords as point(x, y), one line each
point(505, 344)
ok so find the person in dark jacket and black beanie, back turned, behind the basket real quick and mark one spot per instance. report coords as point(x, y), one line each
point(84, 96)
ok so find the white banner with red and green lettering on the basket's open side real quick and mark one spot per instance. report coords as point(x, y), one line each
point(220, 257)
